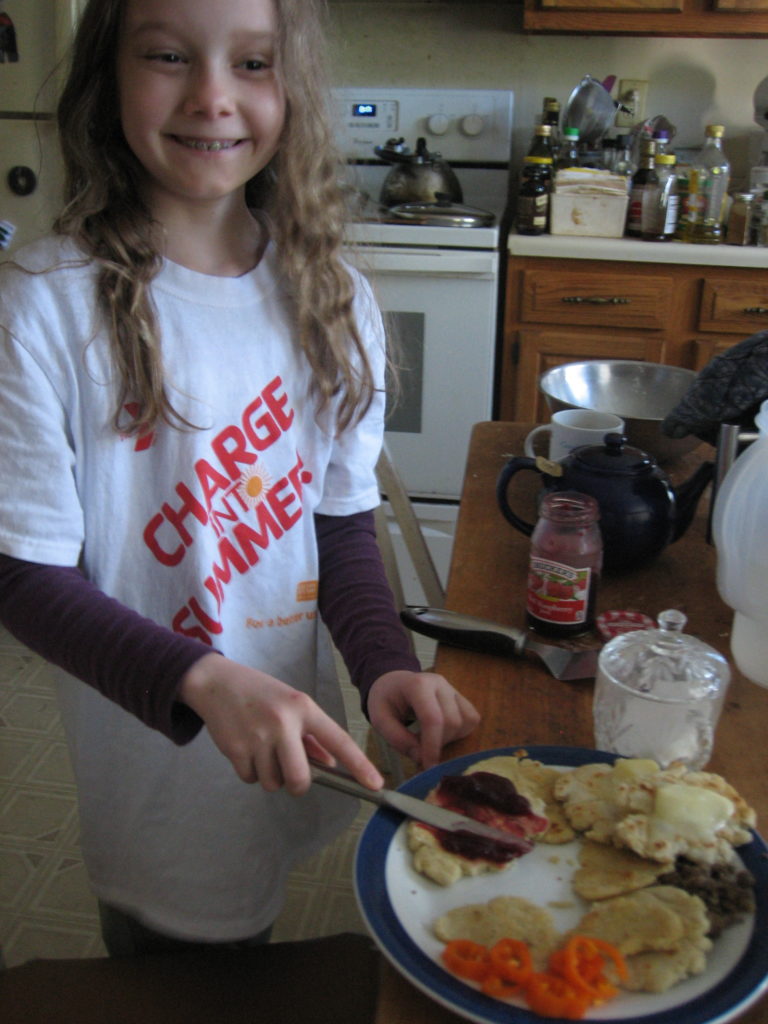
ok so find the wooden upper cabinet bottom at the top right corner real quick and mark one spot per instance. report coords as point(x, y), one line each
point(723, 19)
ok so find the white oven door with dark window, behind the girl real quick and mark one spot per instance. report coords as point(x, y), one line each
point(441, 310)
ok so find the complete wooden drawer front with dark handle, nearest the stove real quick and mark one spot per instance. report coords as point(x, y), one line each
point(596, 300)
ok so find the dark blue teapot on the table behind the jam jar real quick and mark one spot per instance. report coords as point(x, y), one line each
point(641, 511)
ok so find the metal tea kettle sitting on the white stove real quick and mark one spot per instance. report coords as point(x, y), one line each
point(416, 178)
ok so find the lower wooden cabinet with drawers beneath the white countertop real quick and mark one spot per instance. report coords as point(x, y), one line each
point(564, 311)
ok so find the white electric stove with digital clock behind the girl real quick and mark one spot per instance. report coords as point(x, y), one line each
point(438, 285)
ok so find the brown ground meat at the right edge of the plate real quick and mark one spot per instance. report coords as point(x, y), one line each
point(728, 890)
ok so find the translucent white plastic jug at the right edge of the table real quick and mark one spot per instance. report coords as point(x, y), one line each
point(741, 533)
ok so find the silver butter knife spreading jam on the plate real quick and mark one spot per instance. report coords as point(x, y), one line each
point(413, 807)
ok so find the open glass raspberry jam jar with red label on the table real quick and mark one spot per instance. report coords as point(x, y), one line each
point(567, 557)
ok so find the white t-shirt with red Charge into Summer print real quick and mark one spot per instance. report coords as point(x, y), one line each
point(209, 532)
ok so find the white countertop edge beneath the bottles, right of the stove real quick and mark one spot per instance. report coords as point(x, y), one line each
point(632, 250)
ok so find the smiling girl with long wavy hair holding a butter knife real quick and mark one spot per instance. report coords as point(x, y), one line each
point(193, 390)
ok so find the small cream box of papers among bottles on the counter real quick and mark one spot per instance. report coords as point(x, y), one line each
point(588, 201)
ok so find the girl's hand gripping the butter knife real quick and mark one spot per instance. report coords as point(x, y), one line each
point(267, 729)
